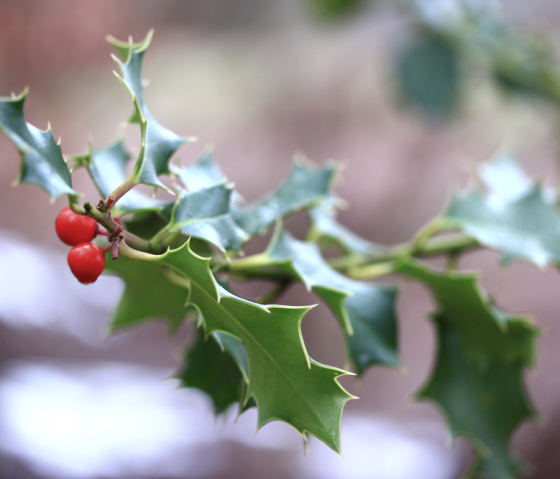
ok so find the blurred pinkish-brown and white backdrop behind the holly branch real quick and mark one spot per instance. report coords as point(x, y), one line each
point(398, 92)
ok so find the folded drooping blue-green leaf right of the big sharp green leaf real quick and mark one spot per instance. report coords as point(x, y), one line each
point(365, 311)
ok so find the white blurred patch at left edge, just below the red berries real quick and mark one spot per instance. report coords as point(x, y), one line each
point(37, 289)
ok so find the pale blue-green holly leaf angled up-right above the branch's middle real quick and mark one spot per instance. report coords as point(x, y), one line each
point(305, 187)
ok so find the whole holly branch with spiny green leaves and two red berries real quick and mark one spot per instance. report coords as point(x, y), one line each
point(176, 258)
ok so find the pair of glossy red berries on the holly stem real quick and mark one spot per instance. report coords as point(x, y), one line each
point(86, 259)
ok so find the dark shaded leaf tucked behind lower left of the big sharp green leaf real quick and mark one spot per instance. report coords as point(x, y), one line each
point(212, 370)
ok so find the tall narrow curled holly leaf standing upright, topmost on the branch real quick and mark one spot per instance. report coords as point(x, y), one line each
point(158, 143)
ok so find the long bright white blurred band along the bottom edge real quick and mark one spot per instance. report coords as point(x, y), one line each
point(114, 420)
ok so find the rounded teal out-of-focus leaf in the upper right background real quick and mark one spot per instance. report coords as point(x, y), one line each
point(428, 75)
